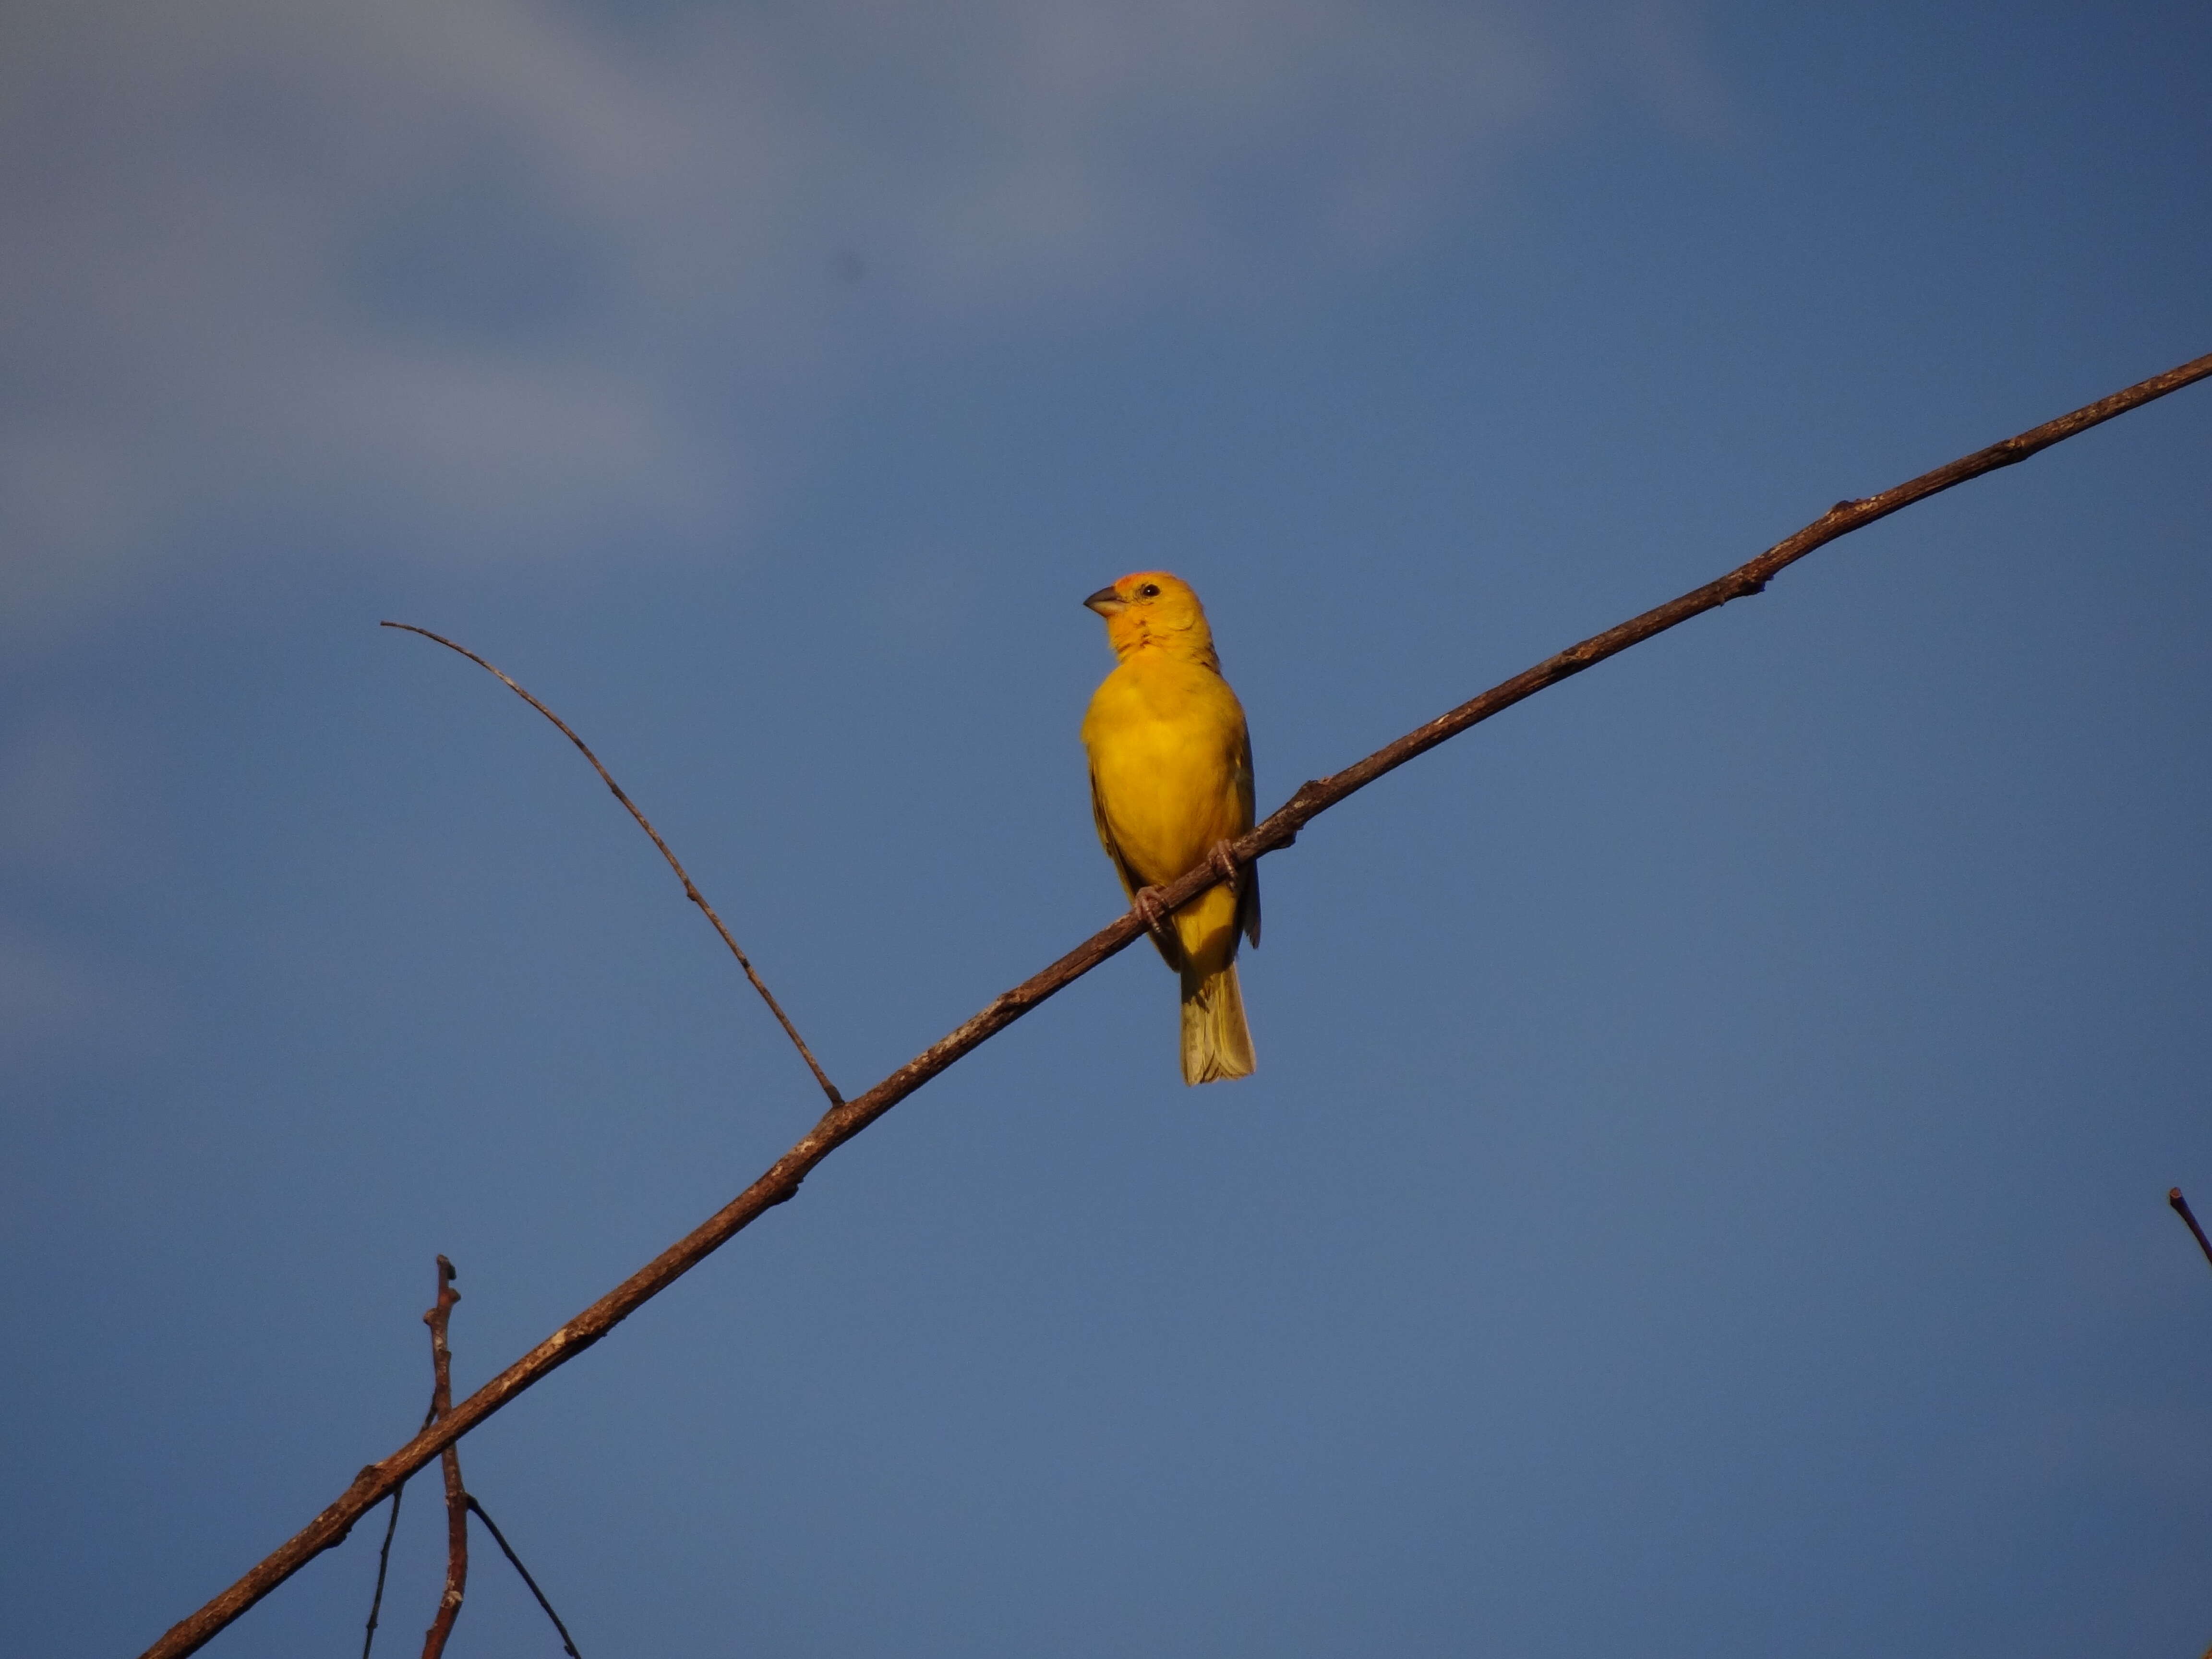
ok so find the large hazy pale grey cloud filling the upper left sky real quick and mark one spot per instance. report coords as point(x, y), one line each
point(499, 275)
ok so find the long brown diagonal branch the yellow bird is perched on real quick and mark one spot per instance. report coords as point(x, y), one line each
point(842, 1123)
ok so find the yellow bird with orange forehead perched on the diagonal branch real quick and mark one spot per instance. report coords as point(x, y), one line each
point(1171, 786)
